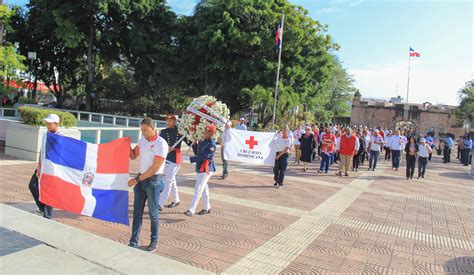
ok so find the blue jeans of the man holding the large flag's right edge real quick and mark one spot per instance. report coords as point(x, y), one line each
point(150, 190)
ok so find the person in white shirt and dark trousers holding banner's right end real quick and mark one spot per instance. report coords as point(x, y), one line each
point(283, 144)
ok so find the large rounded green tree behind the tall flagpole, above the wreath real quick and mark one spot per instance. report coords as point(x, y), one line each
point(229, 45)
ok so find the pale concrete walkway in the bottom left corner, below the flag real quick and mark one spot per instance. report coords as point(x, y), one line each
point(28, 246)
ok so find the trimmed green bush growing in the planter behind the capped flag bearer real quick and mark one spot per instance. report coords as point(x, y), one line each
point(35, 116)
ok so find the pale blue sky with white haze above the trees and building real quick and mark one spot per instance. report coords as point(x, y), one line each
point(375, 35)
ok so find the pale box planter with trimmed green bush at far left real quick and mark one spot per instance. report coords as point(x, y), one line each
point(24, 139)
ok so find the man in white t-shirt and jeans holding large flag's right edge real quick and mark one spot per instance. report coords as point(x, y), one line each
point(148, 184)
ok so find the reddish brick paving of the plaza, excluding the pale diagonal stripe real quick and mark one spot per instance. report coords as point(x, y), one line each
point(393, 226)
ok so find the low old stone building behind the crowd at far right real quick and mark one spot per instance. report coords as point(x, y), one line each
point(393, 114)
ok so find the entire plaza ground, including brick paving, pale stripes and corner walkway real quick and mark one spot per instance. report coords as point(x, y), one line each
point(371, 222)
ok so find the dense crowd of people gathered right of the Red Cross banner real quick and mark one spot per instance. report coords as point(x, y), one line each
point(352, 147)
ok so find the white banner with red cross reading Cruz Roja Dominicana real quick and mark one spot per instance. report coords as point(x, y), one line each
point(249, 146)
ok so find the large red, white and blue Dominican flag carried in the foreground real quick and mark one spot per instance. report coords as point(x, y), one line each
point(85, 178)
